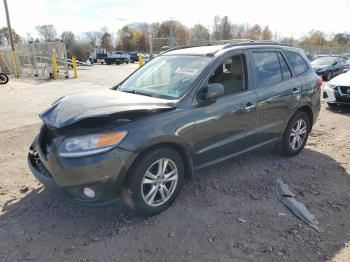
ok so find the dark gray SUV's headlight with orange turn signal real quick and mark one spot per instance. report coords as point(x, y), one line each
point(85, 145)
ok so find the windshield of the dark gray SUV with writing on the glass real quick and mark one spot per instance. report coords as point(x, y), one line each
point(166, 76)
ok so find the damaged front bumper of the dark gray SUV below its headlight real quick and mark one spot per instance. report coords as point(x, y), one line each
point(103, 173)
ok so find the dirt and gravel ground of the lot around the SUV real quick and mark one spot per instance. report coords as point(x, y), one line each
point(228, 212)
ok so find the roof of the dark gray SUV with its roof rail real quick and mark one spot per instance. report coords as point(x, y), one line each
point(212, 49)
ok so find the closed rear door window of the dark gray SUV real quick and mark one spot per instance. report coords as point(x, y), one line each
point(268, 68)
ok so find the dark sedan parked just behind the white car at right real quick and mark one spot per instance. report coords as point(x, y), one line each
point(329, 66)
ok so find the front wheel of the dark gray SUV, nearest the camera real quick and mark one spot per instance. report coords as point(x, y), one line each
point(145, 192)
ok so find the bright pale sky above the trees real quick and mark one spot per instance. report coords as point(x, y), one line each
point(287, 18)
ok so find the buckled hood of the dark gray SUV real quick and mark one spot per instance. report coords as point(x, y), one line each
point(71, 109)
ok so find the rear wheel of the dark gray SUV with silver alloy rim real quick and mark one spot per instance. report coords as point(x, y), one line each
point(290, 147)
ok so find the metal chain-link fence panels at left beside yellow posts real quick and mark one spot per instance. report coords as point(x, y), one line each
point(35, 59)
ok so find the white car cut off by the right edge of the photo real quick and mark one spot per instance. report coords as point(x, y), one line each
point(337, 91)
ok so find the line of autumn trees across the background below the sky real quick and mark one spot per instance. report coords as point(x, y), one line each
point(136, 36)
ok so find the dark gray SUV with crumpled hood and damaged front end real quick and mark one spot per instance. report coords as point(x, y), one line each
point(184, 110)
